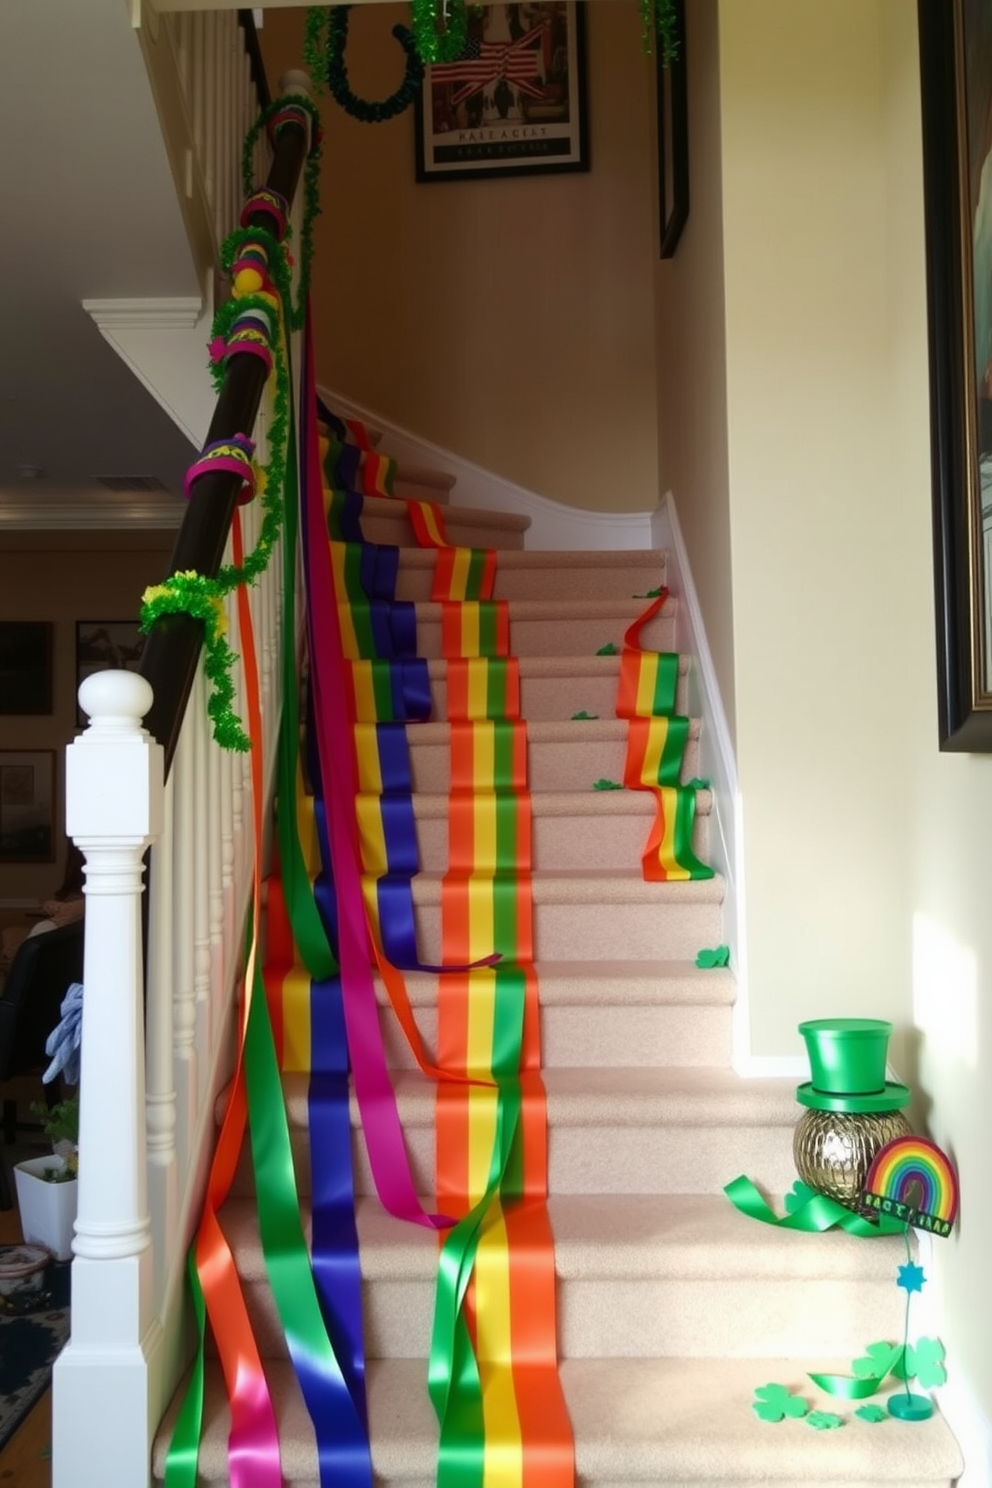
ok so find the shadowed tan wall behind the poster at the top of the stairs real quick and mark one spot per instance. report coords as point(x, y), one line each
point(509, 321)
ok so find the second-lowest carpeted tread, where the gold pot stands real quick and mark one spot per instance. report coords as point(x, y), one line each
point(688, 1237)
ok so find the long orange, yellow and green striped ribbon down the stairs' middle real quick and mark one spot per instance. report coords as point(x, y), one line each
point(495, 1368)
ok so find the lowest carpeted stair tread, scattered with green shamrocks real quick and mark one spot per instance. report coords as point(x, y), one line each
point(682, 1422)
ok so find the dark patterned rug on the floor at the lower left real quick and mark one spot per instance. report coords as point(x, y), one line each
point(29, 1347)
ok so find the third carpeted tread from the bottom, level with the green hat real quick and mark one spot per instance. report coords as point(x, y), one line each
point(612, 1097)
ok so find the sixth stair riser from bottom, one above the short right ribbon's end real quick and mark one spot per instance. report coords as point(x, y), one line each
point(553, 766)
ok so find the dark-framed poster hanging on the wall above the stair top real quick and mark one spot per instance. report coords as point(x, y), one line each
point(515, 102)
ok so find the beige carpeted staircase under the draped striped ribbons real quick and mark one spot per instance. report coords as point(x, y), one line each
point(671, 1306)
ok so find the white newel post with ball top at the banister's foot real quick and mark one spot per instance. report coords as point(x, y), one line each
point(114, 809)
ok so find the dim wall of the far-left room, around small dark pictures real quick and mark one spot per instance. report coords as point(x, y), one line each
point(66, 578)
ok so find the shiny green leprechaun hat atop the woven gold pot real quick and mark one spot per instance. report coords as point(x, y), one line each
point(847, 1062)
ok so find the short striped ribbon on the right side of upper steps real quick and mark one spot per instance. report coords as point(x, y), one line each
point(655, 752)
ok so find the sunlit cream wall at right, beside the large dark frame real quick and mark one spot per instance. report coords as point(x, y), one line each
point(866, 850)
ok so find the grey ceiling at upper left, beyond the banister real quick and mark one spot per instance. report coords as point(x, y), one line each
point(90, 212)
